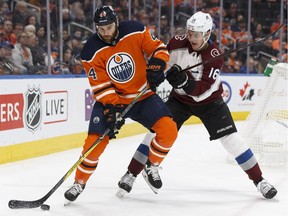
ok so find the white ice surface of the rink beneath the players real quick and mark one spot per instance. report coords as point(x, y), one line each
point(197, 181)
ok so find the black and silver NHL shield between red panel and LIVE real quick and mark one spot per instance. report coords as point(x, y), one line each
point(33, 112)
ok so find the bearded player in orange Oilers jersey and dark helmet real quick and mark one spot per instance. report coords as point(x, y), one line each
point(114, 61)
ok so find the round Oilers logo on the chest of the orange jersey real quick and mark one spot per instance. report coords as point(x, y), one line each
point(121, 67)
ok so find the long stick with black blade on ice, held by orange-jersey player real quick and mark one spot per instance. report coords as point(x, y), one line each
point(16, 204)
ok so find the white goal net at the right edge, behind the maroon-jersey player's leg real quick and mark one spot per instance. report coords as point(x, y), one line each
point(266, 128)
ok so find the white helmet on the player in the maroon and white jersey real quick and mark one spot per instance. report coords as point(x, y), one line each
point(200, 22)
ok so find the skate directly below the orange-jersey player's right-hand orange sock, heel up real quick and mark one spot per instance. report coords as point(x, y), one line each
point(152, 177)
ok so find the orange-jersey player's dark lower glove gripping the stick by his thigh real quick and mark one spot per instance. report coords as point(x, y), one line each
point(113, 123)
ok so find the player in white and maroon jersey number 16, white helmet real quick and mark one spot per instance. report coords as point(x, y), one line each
point(197, 92)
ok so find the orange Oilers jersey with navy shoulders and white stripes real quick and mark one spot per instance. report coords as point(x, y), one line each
point(117, 73)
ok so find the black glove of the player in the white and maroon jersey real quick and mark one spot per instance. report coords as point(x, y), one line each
point(179, 79)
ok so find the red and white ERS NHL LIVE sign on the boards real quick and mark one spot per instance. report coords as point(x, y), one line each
point(33, 108)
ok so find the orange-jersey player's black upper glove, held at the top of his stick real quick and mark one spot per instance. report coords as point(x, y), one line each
point(155, 72)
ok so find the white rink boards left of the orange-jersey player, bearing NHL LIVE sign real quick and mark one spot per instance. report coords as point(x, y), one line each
point(41, 107)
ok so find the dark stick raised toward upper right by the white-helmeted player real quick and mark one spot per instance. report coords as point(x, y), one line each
point(235, 50)
